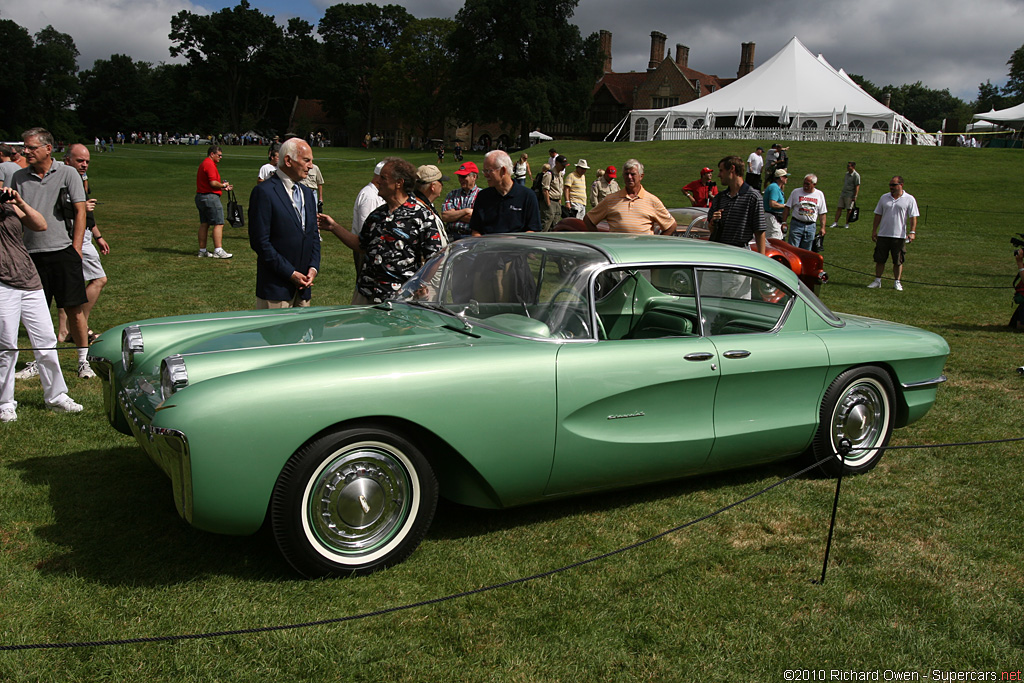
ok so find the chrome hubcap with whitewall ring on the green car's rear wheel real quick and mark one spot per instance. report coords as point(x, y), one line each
point(862, 416)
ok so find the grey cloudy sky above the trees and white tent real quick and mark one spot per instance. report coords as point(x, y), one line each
point(944, 44)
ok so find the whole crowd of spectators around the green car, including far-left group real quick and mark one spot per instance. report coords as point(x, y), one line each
point(51, 245)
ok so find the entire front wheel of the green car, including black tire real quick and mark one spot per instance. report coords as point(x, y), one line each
point(353, 502)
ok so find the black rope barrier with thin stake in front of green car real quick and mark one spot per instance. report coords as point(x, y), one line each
point(492, 587)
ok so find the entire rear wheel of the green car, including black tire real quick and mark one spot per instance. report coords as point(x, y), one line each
point(858, 408)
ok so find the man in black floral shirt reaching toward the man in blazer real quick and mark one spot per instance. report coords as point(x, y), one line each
point(398, 238)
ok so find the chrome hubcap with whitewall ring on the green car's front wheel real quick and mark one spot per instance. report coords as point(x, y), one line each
point(361, 502)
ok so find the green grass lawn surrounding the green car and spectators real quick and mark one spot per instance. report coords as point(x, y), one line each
point(927, 570)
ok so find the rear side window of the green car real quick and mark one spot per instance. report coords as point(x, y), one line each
point(736, 304)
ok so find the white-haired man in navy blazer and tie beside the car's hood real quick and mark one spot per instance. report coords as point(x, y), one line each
point(283, 231)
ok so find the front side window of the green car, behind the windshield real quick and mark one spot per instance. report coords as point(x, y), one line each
point(657, 303)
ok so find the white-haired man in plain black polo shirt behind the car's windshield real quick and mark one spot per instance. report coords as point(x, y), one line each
point(503, 206)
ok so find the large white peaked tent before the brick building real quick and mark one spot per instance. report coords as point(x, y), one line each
point(792, 86)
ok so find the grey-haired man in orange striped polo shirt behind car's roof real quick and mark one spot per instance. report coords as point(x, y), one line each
point(632, 209)
